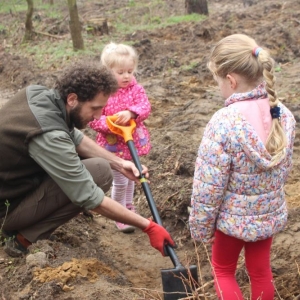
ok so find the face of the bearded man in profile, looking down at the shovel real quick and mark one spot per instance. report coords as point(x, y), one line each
point(84, 112)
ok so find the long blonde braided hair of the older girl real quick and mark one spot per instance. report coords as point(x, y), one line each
point(233, 54)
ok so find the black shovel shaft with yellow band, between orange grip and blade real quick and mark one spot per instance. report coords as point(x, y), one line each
point(169, 250)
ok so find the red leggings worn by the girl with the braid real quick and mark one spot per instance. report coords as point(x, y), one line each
point(225, 254)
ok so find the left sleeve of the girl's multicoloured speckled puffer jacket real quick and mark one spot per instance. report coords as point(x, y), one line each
point(210, 181)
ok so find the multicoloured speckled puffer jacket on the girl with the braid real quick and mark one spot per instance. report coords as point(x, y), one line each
point(234, 191)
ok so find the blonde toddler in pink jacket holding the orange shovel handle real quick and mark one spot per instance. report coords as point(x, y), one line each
point(130, 102)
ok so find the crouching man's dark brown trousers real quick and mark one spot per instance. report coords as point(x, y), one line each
point(46, 208)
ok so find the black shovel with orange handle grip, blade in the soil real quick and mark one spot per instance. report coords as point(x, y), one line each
point(178, 282)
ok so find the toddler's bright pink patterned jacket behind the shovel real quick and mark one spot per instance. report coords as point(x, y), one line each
point(132, 98)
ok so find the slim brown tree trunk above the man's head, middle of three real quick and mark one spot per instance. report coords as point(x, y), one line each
point(75, 26)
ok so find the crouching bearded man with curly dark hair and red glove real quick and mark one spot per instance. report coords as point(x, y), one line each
point(50, 171)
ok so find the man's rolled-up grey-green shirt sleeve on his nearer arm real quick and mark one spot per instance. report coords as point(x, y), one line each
point(78, 185)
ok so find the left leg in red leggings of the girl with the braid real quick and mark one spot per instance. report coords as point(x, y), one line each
point(225, 254)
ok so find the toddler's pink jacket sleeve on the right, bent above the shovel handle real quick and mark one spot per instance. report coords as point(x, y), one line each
point(140, 105)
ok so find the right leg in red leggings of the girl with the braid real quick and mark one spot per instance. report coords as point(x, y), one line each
point(257, 255)
